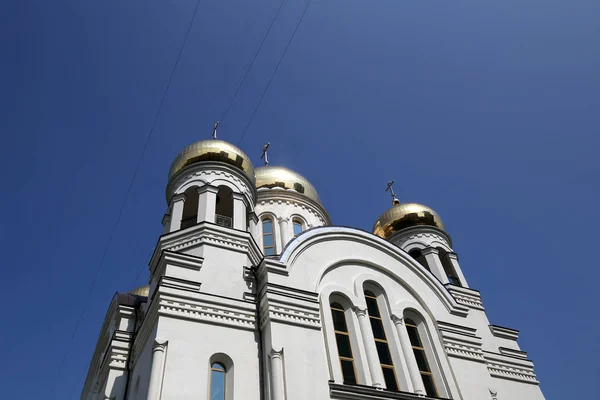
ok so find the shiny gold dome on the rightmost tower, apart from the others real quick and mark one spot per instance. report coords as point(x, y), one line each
point(402, 216)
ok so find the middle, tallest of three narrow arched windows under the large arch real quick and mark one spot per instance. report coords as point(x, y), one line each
point(383, 348)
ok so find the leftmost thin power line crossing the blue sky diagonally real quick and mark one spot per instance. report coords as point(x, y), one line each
point(133, 178)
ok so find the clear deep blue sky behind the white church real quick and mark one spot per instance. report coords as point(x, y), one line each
point(487, 111)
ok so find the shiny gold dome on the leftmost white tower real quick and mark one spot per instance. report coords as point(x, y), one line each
point(213, 150)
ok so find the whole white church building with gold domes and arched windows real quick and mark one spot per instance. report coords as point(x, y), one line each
point(254, 295)
